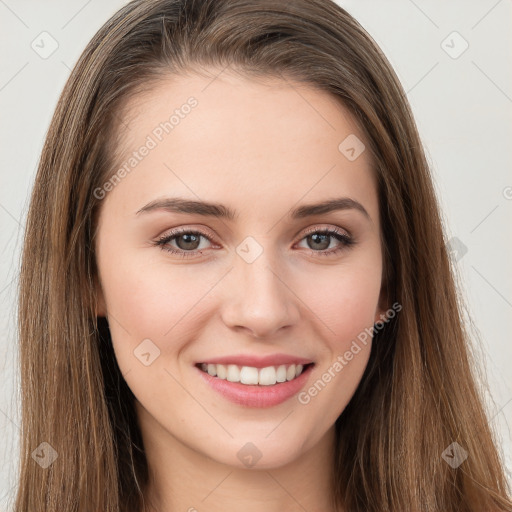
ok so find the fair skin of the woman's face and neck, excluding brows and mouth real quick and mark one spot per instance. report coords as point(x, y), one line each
point(260, 148)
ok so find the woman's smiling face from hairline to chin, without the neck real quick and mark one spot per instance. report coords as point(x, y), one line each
point(261, 288)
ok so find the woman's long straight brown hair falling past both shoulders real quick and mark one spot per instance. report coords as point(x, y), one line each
point(419, 393)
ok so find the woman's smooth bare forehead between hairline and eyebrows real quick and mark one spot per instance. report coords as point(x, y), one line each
point(246, 142)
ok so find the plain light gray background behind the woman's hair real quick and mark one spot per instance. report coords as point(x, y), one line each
point(463, 109)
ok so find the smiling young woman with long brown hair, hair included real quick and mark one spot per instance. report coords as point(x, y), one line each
point(235, 291)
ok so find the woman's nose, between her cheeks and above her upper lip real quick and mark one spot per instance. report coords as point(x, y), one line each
point(259, 299)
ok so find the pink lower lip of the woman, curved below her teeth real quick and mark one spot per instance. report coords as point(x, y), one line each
point(257, 396)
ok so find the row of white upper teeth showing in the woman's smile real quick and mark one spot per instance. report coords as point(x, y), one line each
point(249, 375)
